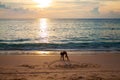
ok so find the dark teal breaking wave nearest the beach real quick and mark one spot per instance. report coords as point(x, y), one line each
point(69, 46)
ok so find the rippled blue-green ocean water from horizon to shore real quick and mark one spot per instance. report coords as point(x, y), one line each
point(60, 34)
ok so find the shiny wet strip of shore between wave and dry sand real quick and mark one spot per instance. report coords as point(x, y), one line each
point(55, 52)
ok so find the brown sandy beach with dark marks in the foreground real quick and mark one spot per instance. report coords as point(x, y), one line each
point(49, 67)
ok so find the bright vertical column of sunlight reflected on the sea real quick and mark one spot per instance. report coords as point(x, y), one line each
point(43, 30)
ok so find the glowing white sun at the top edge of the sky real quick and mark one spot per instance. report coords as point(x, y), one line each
point(43, 3)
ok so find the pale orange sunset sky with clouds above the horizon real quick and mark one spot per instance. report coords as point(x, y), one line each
point(59, 9)
